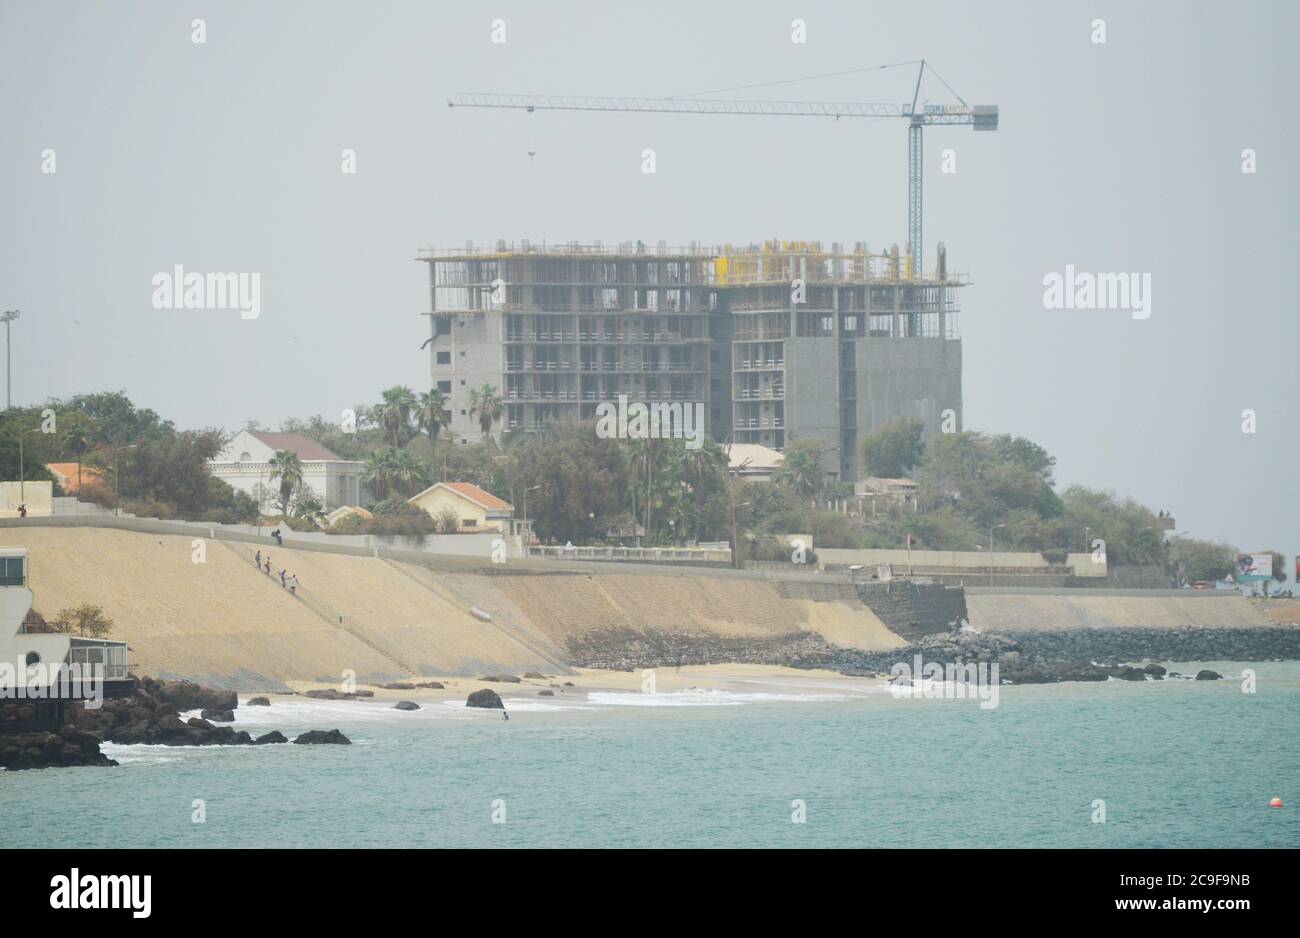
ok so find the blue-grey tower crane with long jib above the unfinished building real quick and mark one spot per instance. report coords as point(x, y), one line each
point(917, 114)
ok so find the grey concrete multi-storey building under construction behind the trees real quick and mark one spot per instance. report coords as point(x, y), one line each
point(781, 341)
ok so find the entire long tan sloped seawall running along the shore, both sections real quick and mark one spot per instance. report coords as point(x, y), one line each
point(393, 616)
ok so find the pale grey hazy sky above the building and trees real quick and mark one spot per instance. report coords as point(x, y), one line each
point(226, 157)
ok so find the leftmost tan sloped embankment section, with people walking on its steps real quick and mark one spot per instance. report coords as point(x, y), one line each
point(223, 623)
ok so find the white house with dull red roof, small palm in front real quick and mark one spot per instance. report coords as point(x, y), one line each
point(245, 463)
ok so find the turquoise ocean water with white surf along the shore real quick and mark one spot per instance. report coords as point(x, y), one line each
point(1177, 765)
